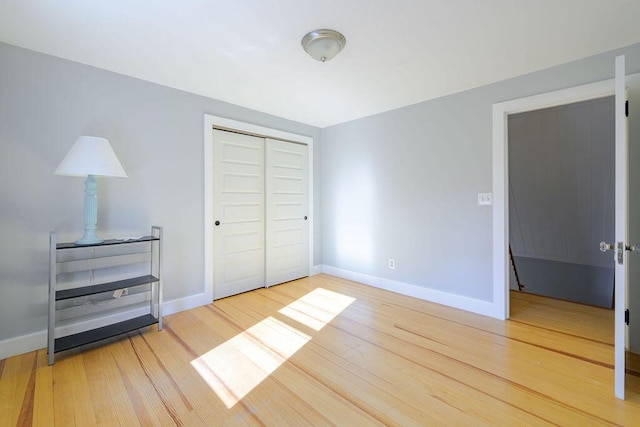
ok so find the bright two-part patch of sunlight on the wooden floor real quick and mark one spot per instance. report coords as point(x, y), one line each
point(237, 366)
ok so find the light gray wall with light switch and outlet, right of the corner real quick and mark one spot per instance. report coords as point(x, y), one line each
point(404, 184)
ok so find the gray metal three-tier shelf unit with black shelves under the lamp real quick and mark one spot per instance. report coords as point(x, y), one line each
point(84, 298)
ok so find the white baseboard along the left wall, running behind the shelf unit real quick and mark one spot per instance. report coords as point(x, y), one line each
point(37, 340)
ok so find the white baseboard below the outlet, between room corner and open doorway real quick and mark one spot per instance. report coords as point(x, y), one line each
point(485, 308)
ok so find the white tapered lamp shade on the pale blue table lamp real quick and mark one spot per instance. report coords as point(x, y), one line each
point(91, 155)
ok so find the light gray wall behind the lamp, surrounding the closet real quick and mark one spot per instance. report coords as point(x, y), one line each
point(157, 133)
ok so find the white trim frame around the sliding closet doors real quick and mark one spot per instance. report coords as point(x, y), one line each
point(209, 122)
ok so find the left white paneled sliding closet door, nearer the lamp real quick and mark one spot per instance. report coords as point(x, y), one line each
point(238, 208)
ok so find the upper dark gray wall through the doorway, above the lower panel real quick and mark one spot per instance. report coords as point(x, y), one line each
point(561, 182)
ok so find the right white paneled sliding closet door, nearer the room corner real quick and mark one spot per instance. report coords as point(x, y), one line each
point(287, 203)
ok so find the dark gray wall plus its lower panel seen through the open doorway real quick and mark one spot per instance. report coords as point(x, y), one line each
point(561, 200)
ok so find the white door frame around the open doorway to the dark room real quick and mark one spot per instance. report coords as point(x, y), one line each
point(501, 113)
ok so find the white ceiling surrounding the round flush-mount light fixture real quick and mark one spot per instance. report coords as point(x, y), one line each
point(247, 52)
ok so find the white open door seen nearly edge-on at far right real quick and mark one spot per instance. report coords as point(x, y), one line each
point(622, 242)
